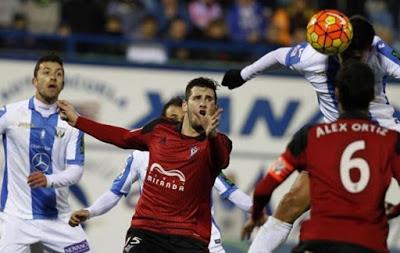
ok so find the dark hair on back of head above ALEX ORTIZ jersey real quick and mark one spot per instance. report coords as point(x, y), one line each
point(355, 82)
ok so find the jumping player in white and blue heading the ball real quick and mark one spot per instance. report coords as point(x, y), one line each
point(320, 70)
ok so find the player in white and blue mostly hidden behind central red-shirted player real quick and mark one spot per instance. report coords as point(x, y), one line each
point(135, 171)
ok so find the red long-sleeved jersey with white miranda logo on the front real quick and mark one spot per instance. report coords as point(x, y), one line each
point(182, 170)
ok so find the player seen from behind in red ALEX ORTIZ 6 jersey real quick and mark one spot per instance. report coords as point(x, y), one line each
point(350, 163)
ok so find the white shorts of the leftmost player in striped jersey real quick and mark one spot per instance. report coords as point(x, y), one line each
point(55, 235)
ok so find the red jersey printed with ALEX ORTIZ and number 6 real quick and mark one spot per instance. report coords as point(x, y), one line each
point(350, 164)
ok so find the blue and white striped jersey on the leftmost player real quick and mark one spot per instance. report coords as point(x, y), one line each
point(36, 139)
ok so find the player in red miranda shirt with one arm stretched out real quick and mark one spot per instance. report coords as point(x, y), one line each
point(173, 213)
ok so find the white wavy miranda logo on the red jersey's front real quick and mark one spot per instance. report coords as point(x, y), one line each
point(169, 179)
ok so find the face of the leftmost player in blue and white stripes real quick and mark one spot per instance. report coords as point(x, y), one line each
point(49, 82)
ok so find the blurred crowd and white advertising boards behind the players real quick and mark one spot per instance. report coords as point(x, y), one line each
point(125, 58)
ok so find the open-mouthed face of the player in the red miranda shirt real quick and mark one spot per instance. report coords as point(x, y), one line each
point(201, 102)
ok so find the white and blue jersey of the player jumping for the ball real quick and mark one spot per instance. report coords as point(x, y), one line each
point(320, 70)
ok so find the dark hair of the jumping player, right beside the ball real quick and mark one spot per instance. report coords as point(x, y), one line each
point(363, 35)
